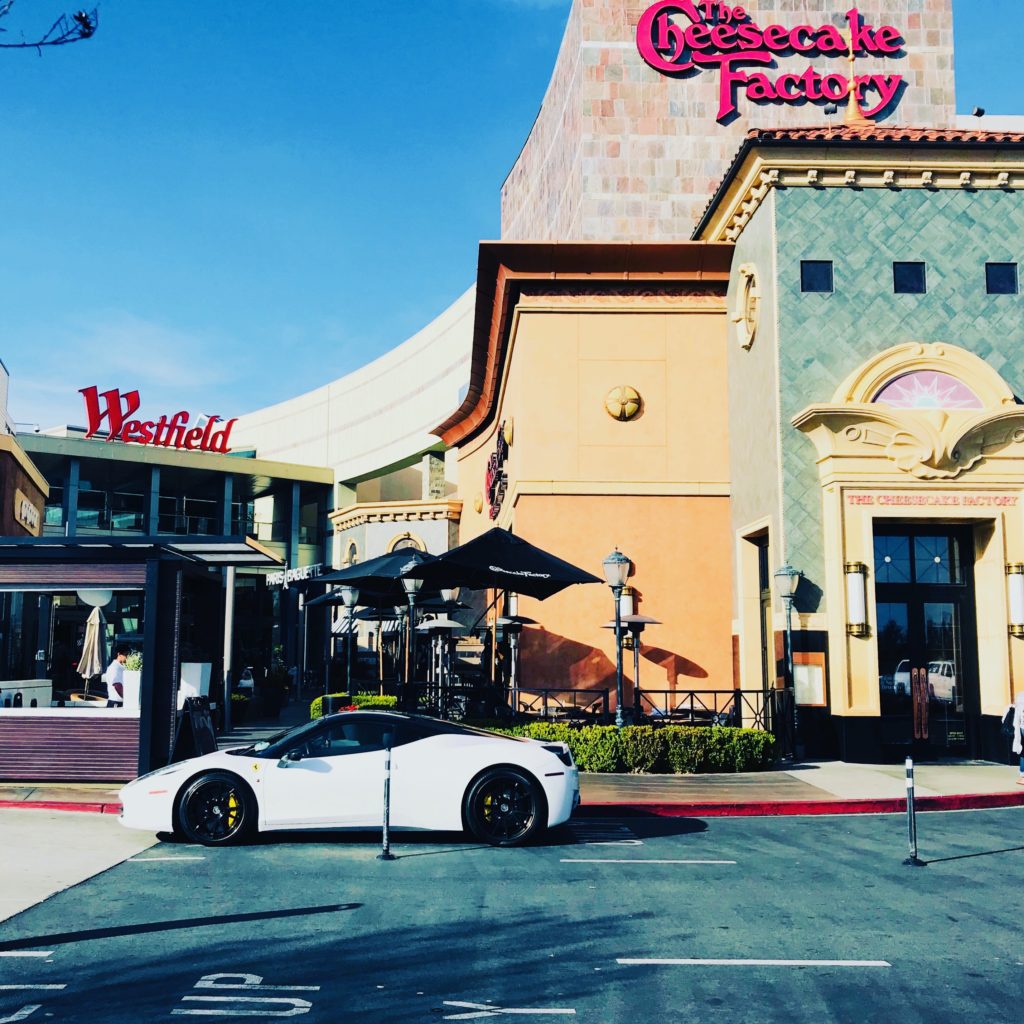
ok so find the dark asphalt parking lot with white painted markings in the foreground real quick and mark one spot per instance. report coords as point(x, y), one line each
point(796, 920)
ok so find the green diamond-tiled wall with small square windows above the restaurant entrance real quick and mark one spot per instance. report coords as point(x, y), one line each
point(824, 338)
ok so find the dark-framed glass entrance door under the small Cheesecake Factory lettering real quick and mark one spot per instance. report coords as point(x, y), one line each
point(927, 645)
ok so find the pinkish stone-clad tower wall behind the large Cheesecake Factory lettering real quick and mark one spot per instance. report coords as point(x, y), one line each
point(623, 153)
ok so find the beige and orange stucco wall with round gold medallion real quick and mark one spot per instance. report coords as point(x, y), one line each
point(581, 484)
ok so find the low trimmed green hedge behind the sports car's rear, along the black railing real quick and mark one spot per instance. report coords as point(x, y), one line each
point(646, 750)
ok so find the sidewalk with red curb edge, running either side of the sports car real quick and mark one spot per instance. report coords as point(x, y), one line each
point(822, 788)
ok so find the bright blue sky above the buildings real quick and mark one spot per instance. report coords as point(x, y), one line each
point(228, 204)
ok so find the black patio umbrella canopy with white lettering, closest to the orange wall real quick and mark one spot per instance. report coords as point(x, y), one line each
point(501, 561)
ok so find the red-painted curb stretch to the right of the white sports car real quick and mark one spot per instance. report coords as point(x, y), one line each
point(962, 802)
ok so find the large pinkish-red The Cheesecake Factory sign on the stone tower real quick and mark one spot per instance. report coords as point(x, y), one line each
point(724, 37)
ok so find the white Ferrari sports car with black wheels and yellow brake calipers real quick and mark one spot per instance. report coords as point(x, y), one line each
point(330, 775)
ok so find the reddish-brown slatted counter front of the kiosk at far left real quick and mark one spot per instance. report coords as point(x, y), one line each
point(69, 750)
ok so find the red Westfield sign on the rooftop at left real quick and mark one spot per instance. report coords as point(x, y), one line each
point(116, 413)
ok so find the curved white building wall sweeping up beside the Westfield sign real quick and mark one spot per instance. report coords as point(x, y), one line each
point(377, 416)
